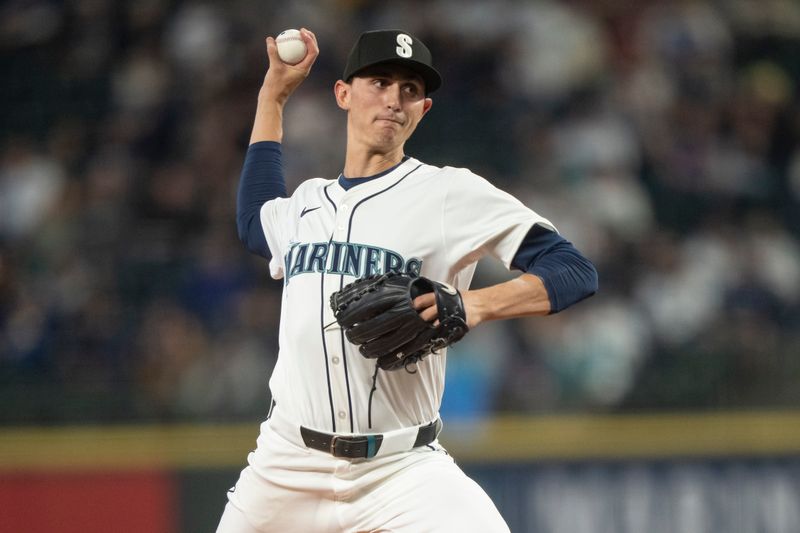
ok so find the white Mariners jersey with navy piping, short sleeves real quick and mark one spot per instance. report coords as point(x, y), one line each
point(416, 218)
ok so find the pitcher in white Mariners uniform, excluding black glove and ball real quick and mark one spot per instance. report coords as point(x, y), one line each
point(351, 445)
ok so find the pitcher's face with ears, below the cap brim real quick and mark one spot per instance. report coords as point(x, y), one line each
point(385, 104)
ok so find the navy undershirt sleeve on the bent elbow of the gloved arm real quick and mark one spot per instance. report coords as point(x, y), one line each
point(567, 275)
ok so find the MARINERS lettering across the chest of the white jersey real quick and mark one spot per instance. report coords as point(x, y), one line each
point(347, 258)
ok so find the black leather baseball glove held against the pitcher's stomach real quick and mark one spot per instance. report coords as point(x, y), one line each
point(377, 313)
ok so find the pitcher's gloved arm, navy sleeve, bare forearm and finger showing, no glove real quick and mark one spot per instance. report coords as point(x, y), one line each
point(556, 276)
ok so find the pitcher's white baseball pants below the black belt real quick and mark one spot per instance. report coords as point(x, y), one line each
point(288, 487)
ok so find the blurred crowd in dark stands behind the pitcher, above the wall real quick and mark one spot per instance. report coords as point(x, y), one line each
point(661, 137)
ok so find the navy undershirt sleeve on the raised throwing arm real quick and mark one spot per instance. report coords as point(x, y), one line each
point(261, 181)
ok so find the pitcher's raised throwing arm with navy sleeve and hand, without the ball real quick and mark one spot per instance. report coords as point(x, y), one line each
point(262, 174)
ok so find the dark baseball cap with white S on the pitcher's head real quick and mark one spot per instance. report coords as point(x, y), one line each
point(395, 47)
